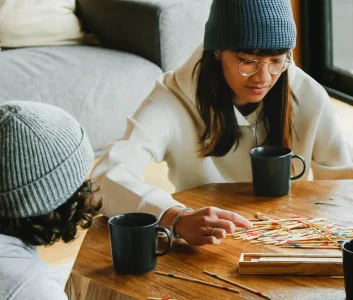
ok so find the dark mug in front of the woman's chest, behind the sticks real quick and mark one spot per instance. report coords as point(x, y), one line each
point(271, 170)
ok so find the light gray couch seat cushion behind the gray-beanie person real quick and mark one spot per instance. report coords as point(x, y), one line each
point(98, 86)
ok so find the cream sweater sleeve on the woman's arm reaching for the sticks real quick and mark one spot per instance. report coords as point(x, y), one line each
point(120, 171)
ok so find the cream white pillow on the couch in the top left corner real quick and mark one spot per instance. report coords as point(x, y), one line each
point(38, 23)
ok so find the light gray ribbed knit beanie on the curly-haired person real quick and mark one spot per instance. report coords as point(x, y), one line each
point(45, 157)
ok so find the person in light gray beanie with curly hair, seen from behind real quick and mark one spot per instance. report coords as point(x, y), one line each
point(44, 194)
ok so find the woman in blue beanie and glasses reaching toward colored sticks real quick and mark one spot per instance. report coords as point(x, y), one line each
point(239, 90)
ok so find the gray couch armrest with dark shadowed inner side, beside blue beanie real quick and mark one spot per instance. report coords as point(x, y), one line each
point(162, 31)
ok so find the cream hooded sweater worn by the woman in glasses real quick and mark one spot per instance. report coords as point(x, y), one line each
point(167, 127)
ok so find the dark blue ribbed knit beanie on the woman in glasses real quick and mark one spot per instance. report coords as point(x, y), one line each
point(250, 24)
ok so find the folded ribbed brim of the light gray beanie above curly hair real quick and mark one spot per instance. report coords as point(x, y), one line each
point(49, 192)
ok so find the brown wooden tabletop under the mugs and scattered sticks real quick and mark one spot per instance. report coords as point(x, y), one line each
point(93, 276)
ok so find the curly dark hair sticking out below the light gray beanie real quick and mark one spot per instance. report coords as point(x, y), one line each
point(61, 223)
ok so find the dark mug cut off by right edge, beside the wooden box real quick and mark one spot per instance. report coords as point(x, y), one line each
point(347, 249)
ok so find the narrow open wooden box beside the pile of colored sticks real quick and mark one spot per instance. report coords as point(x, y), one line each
point(290, 264)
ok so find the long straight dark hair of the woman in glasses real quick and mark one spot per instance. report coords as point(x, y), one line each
point(215, 105)
